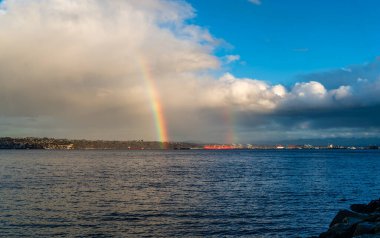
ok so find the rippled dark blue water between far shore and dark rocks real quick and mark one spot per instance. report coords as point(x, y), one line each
point(181, 193)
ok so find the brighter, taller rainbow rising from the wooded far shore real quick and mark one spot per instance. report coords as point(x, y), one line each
point(156, 105)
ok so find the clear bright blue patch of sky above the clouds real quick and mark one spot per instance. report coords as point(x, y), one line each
point(278, 40)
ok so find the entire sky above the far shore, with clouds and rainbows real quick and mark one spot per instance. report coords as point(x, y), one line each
point(220, 71)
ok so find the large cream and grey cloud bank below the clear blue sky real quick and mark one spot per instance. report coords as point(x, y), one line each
point(79, 69)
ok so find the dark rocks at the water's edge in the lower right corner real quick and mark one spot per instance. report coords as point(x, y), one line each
point(362, 220)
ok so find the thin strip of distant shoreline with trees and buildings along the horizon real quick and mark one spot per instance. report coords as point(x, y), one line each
point(68, 144)
